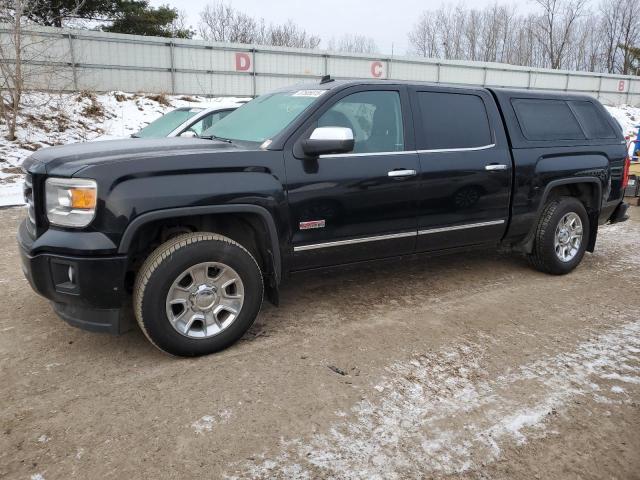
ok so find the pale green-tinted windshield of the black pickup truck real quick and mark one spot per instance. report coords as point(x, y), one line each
point(263, 117)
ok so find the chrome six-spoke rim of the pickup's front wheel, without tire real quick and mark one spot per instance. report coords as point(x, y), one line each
point(205, 300)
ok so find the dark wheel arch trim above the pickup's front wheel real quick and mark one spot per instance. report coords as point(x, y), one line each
point(263, 213)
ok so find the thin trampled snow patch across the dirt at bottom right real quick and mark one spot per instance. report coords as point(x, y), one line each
point(442, 413)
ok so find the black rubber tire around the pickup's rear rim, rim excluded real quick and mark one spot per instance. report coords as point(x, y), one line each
point(543, 256)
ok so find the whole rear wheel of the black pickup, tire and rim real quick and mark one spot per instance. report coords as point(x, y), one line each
point(561, 236)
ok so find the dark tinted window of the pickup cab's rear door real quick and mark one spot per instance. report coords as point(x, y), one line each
point(452, 121)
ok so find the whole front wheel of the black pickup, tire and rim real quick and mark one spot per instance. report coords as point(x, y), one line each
point(197, 294)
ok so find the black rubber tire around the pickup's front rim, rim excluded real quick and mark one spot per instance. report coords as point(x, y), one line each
point(166, 264)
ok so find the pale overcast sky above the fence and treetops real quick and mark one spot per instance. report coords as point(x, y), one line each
point(332, 18)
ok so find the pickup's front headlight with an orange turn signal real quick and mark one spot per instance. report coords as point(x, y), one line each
point(71, 202)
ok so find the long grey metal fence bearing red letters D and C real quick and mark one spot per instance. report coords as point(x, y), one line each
point(71, 60)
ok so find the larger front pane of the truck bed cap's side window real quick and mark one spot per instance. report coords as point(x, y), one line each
point(547, 120)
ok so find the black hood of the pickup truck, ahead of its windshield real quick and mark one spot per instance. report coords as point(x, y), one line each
point(69, 159)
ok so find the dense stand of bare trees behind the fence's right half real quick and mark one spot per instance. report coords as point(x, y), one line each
point(561, 34)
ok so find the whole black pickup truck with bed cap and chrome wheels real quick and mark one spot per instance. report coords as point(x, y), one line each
point(187, 234)
